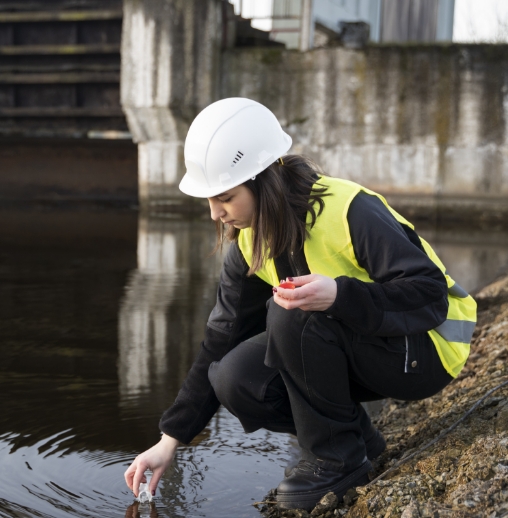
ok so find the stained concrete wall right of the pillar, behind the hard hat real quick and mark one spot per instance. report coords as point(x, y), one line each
point(425, 121)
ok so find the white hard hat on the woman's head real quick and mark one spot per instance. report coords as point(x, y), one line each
point(229, 142)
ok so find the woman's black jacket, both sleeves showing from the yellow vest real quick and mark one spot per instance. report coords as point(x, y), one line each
point(408, 296)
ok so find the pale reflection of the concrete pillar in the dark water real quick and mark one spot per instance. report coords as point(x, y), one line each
point(164, 310)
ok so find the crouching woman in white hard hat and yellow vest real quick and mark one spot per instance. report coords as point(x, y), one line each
point(373, 313)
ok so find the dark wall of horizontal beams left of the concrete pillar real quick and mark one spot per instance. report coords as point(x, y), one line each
point(60, 68)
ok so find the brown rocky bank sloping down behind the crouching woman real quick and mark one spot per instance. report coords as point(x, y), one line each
point(465, 474)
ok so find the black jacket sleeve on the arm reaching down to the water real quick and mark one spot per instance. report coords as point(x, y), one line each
point(239, 313)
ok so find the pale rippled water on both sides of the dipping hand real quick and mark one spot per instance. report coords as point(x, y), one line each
point(220, 476)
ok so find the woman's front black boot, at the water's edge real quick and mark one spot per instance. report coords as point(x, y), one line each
point(309, 482)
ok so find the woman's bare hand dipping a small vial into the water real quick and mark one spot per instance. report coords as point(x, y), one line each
point(157, 459)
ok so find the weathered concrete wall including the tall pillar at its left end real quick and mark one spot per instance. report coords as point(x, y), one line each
point(424, 124)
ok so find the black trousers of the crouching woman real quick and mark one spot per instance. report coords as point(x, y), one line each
point(308, 373)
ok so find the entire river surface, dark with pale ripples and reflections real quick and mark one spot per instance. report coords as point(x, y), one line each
point(101, 315)
